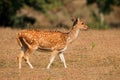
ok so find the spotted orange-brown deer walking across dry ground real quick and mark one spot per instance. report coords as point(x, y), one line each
point(55, 41)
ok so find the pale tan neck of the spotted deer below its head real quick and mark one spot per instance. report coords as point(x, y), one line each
point(73, 34)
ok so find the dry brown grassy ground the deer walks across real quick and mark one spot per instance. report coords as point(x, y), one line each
point(95, 55)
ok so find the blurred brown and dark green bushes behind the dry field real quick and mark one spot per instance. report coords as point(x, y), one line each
point(98, 14)
